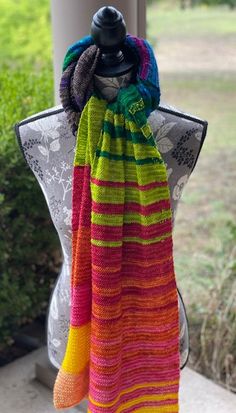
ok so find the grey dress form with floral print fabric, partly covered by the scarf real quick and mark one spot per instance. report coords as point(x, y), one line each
point(48, 147)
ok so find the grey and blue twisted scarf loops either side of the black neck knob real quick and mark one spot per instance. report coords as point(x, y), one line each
point(79, 65)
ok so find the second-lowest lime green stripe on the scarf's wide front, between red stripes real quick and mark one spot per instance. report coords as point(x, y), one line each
point(130, 218)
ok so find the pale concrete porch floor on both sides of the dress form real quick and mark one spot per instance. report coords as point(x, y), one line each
point(21, 393)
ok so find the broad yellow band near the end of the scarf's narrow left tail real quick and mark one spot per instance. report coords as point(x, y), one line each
point(78, 349)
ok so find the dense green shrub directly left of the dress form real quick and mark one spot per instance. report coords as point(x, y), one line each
point(28, 242)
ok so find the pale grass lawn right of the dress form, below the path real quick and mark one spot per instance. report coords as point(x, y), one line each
point(208, 201)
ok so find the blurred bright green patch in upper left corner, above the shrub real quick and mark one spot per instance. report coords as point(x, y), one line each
point(25, 29)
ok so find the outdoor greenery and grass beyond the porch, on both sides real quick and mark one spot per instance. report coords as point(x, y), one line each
point(195, 43)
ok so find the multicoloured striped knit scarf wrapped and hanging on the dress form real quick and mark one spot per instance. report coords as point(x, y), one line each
point(123, 350)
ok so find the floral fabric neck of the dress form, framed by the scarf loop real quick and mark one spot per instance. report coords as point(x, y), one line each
point(109, 86)
